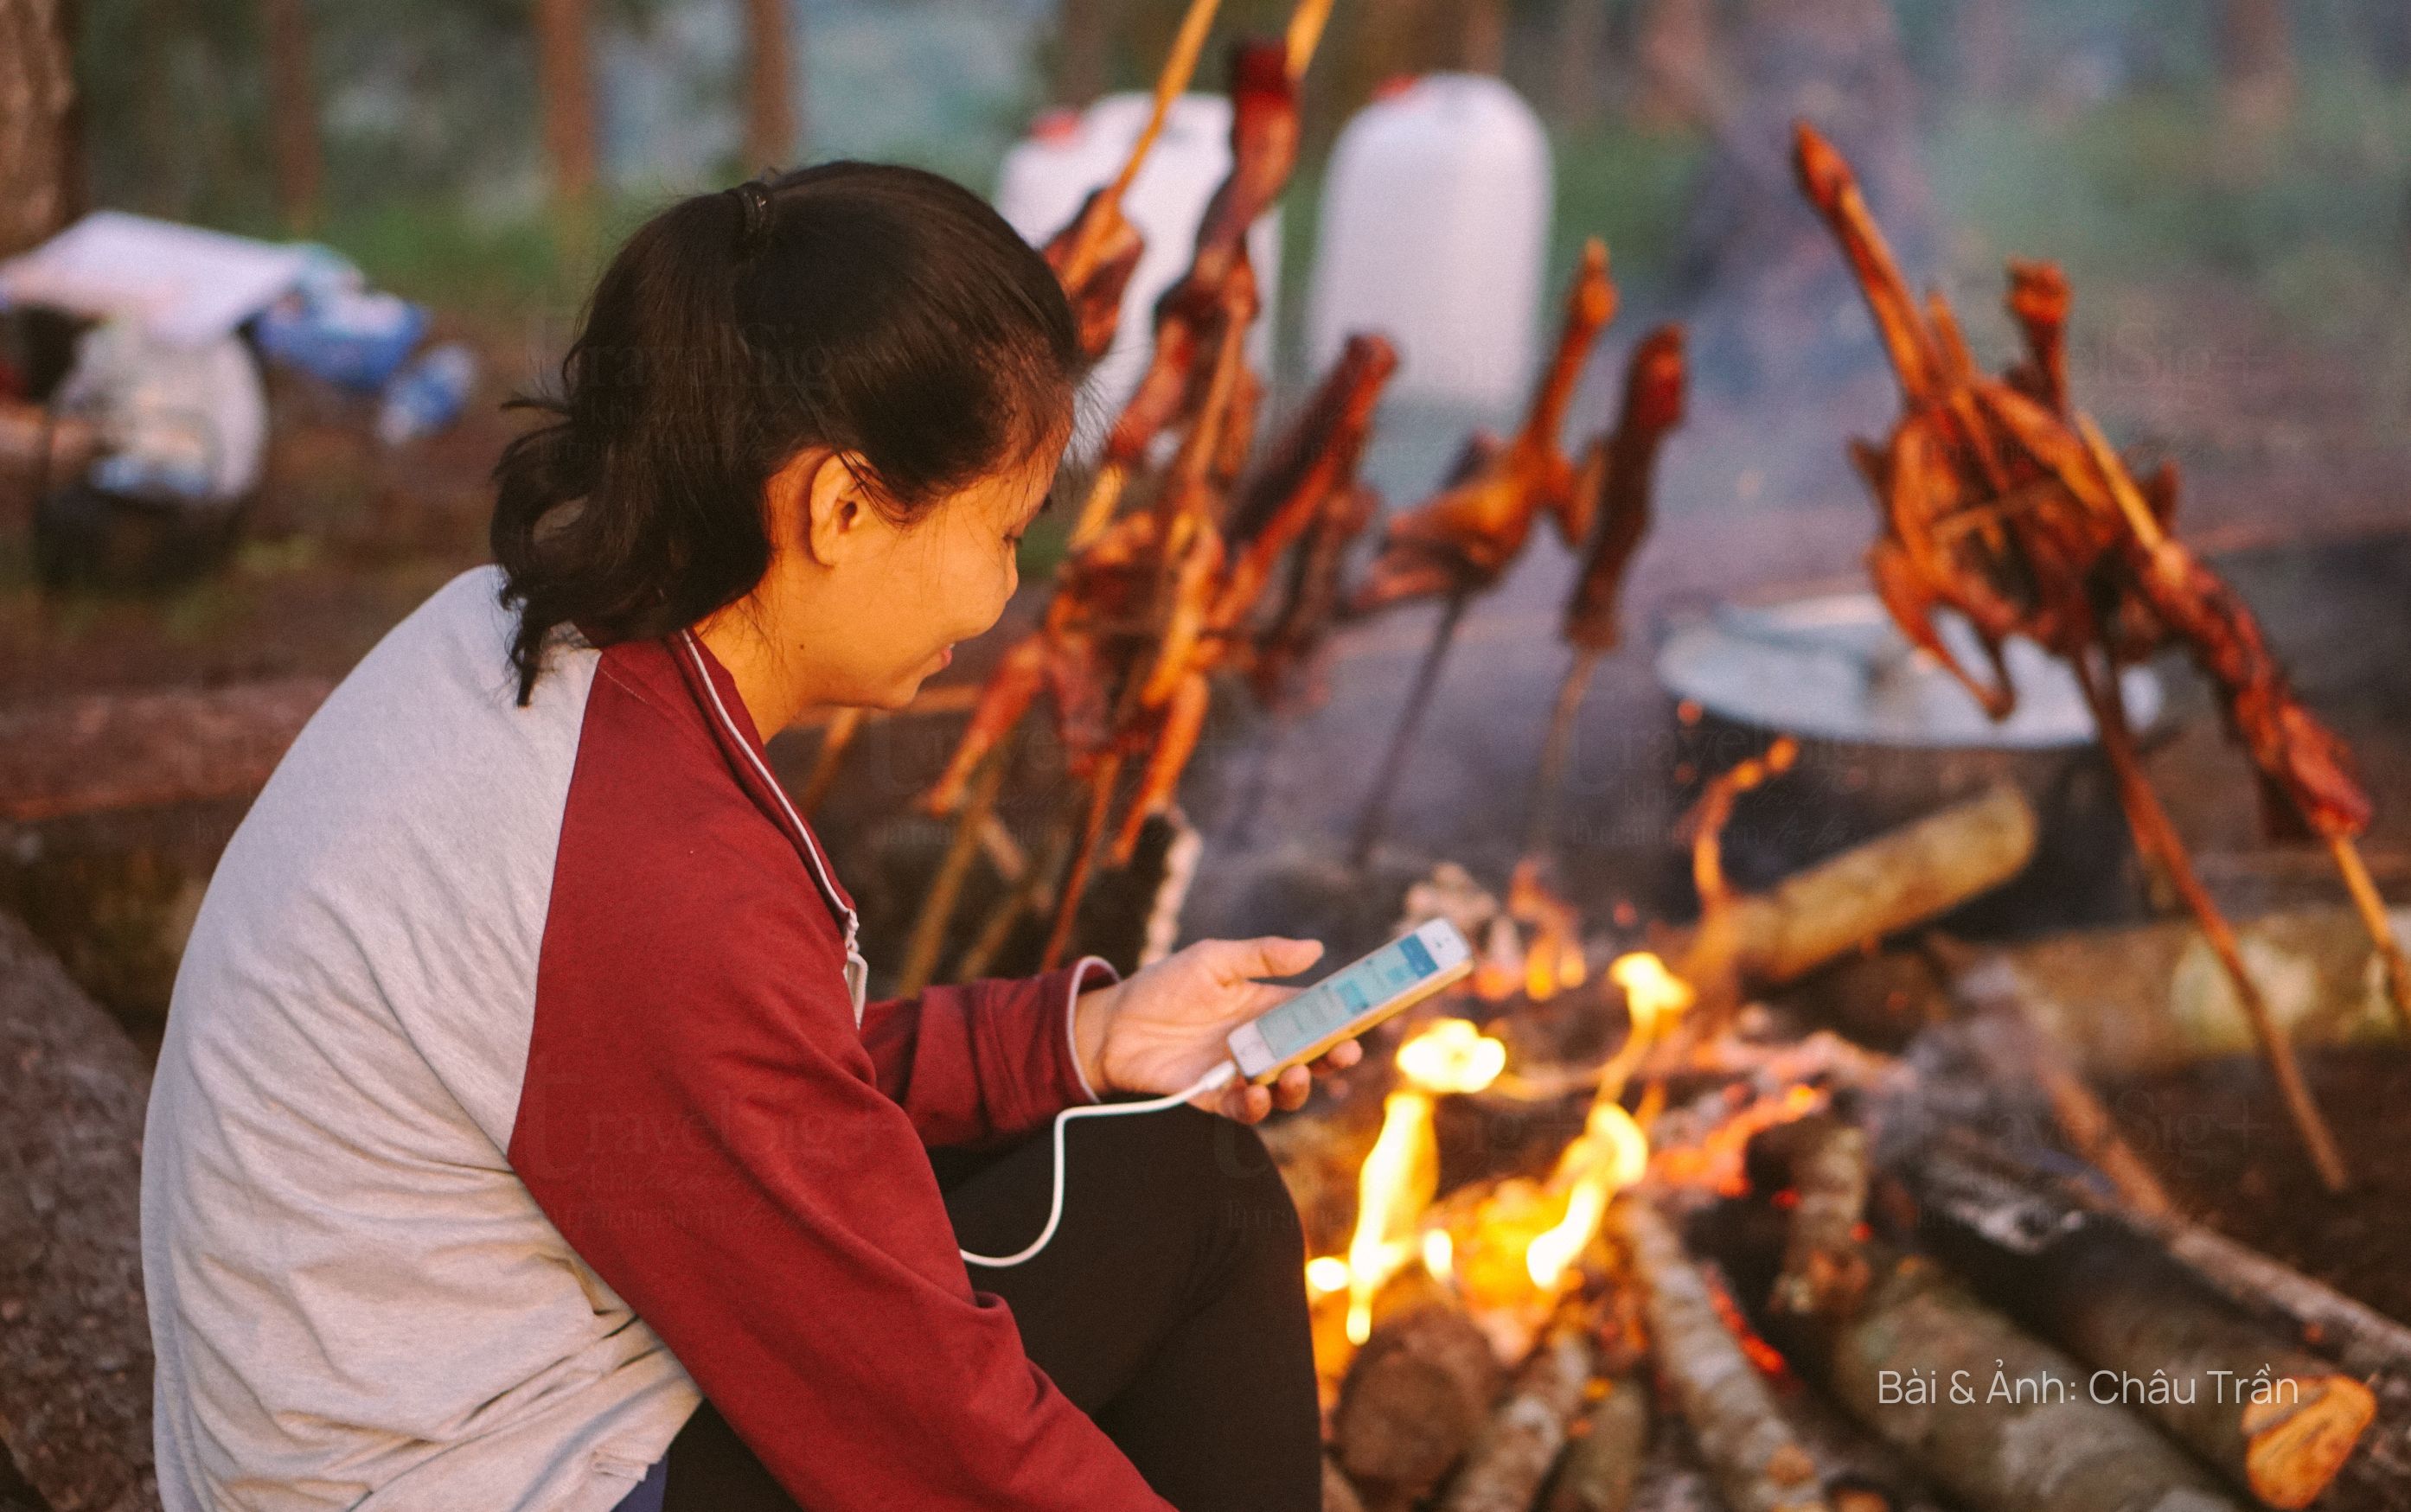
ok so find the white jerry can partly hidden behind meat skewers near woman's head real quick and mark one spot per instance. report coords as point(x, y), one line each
point(1074, 153)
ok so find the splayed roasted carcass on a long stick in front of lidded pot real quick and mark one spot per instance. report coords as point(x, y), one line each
point(1995, 508)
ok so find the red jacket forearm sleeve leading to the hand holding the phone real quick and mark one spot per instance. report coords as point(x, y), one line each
point(985, 1060)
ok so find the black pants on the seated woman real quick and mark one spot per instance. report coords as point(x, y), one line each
point(1171, 1308)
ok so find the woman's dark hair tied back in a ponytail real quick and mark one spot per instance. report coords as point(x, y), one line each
point(860, 307)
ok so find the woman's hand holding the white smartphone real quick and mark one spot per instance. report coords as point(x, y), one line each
point(1168, 1026)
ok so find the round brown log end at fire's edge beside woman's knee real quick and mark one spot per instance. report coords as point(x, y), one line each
point(1414, 1402)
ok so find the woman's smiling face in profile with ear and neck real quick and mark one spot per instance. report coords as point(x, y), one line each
point(862, 609)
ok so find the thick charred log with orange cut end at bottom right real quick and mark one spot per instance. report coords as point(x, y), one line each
point(2272, 1419)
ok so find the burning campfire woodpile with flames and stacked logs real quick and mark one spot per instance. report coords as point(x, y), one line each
point(1802, 1274)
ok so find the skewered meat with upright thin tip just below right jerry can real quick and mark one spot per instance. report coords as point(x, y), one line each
point(1467, 537)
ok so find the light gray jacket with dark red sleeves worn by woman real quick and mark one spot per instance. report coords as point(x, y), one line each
point(515, 1094)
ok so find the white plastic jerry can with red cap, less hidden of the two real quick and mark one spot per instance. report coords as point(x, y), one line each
point(1436, 235)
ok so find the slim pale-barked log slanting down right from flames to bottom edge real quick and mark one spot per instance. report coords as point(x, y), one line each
point(1749, 1448)
